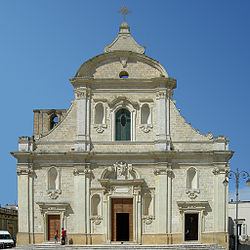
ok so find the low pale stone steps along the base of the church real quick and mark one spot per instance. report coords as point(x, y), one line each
point(122, 247)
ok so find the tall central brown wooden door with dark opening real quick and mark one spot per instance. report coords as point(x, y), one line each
point(122, 219)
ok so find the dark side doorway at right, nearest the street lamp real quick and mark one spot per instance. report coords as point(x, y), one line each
point(191, 227)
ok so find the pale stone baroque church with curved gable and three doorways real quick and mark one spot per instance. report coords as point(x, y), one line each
point(121, 165)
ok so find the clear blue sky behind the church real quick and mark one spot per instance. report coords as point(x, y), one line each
point(204, 44)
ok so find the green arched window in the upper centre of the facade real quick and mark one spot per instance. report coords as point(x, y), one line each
point(123, 125)
